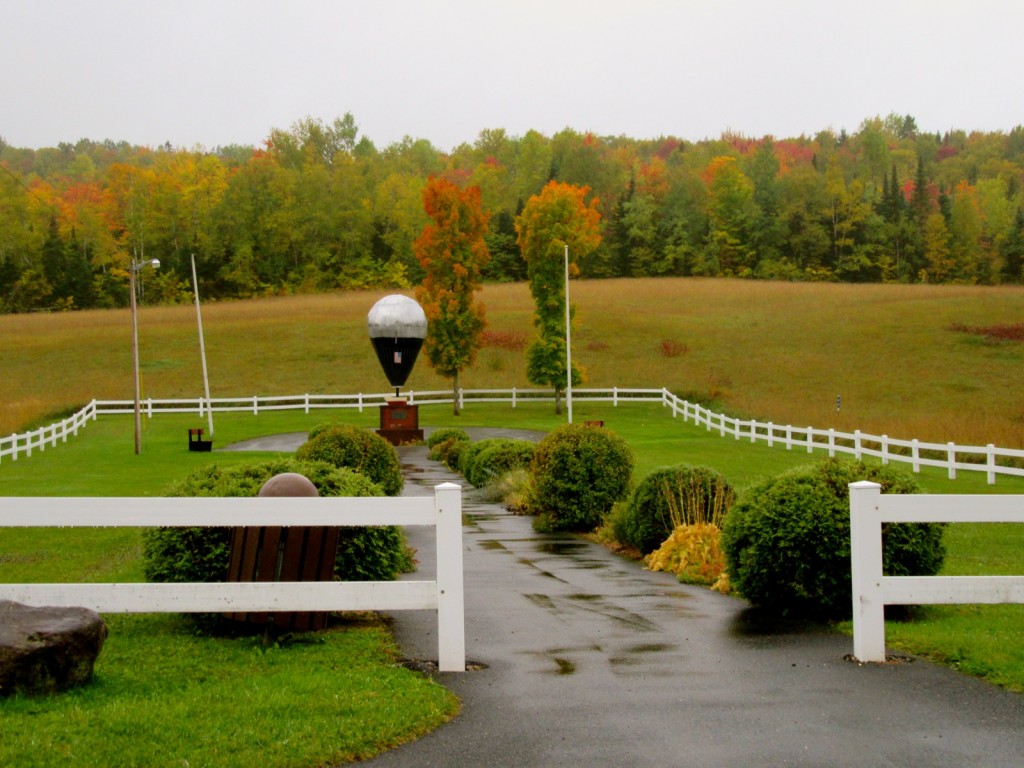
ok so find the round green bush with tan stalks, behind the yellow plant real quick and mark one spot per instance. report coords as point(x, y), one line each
point(669, 497)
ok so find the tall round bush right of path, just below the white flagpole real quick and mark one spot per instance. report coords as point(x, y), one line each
point(578, 474)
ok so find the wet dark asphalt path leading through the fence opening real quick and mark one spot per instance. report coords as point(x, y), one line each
point(591, 661)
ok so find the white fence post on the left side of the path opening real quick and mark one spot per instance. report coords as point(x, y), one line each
point(451, 610)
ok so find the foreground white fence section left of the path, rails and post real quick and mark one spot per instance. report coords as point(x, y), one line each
point(445, 594)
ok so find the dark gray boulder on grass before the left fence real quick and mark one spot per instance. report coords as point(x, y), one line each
point(48, 650)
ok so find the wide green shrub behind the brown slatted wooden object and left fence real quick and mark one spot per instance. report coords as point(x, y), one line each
point(201, 554)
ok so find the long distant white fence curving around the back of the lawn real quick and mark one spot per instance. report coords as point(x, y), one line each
point(989, 459)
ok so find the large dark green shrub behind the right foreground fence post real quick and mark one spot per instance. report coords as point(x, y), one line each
point(787, 541)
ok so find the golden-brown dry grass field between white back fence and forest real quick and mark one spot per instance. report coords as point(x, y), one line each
point(777, 352)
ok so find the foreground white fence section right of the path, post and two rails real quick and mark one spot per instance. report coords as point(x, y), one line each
point(873, 591)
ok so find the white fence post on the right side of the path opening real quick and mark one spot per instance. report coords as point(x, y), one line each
point(866, 563)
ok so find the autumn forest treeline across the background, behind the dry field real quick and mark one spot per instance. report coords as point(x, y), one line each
point(320, 208)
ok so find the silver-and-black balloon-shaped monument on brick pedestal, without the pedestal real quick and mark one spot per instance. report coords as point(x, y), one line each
point(398, 327)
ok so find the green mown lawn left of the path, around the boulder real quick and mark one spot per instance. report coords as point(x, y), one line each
point(165, 695)
